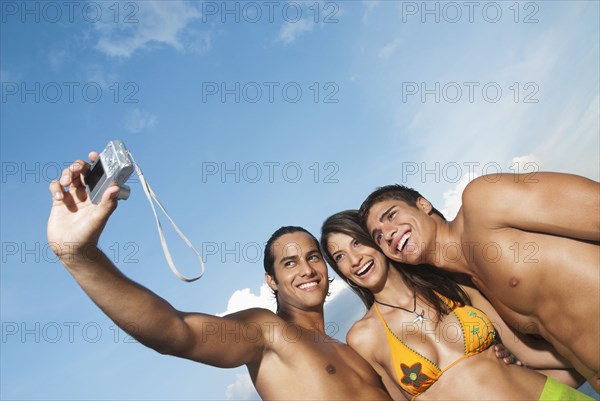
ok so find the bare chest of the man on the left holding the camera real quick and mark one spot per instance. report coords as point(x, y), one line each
point(304, 364)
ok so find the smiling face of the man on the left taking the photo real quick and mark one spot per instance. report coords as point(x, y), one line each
point(300, 278)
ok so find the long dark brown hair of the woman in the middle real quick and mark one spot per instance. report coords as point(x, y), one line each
point(422, 279)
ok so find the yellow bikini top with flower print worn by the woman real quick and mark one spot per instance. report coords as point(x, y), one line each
point(414, 372)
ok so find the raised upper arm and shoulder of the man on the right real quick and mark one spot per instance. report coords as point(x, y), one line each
point(553, 203)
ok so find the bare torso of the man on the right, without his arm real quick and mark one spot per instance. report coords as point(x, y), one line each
point(540, 284)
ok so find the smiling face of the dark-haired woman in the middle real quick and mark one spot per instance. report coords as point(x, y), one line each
point(363, 265)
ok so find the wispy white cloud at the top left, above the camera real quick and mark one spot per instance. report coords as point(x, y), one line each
point(158, 23)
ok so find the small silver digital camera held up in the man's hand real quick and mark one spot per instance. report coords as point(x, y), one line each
point(114, 164)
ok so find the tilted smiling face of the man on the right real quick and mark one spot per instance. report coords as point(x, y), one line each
point(402, 231)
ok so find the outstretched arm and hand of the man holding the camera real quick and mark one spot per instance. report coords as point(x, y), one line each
point(74, 227)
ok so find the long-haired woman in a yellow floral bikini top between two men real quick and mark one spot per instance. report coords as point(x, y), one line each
point(428, 337)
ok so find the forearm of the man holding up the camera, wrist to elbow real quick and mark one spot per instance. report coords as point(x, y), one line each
point(144, 315)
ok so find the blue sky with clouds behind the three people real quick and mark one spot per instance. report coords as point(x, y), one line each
point(246, 116)
